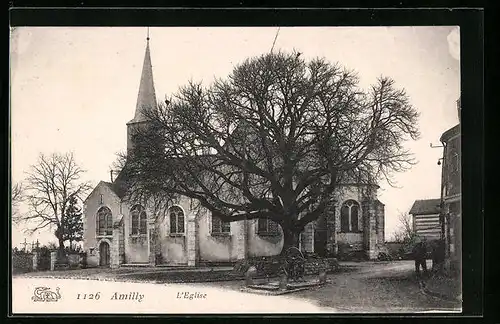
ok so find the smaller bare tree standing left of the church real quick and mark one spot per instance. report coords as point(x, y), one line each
point(51, 184)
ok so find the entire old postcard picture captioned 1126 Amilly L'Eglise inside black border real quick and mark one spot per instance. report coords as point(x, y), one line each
point(278, 169)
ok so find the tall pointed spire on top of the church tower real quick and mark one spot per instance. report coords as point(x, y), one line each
point(146, 99)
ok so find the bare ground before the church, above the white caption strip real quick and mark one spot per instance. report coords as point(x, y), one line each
point(360, 287)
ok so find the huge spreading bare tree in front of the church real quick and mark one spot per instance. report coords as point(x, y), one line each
point(273, 140)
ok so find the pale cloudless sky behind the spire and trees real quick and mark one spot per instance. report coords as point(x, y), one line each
point(73, 89)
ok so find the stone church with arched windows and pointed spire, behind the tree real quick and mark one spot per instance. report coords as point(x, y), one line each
point(119, 233)
